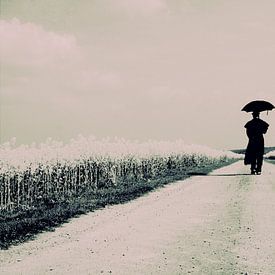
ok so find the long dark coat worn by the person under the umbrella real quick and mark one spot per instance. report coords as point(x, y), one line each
point(255, 129)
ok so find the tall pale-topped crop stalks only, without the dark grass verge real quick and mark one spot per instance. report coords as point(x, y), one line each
point(53, 171)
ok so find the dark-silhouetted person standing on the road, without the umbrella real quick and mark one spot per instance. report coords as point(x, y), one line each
point(255, 129)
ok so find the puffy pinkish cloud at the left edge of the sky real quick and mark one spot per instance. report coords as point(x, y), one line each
point(27, 44)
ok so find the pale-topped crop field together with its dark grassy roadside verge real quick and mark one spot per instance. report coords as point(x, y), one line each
point(42, 186)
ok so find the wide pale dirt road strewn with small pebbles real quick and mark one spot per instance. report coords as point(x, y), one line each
point(223, 223)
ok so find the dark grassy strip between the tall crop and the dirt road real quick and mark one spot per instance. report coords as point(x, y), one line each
point(21, 226)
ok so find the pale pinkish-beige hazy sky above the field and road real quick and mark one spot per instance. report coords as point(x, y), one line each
point(138, 69)
